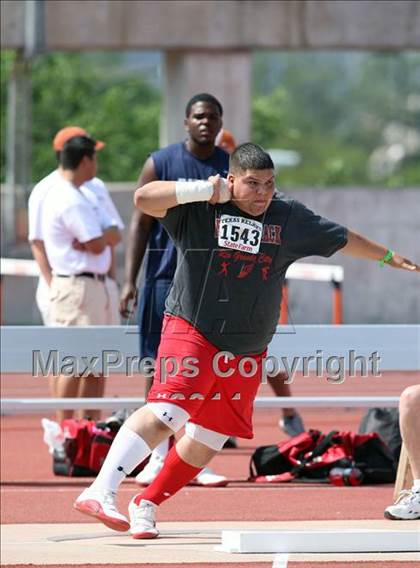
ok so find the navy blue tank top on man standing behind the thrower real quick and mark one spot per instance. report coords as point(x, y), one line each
point(175, 162)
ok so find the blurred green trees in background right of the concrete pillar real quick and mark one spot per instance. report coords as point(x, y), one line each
point(334, 110)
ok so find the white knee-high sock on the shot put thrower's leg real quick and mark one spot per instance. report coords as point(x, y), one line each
point(127, 451)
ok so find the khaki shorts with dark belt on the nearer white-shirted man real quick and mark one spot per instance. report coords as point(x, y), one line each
point(78, 301)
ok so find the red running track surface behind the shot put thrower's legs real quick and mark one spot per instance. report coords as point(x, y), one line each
point(32, 494)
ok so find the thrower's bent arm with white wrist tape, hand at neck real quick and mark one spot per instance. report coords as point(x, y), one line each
point(157, 197)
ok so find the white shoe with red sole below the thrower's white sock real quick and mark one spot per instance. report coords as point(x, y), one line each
point(100, 504)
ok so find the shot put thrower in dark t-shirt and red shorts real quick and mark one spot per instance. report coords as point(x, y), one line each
point(235, 240)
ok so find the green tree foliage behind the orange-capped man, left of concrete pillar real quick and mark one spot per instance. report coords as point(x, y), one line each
point(113, 104)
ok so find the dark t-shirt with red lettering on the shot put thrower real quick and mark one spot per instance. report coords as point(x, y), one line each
point(231, 266)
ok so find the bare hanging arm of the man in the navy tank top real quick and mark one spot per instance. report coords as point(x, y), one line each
point(138, 238)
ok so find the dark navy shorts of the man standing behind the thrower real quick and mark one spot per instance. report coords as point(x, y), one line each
point(150, 315)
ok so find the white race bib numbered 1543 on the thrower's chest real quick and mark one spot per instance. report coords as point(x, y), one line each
point(240, 233)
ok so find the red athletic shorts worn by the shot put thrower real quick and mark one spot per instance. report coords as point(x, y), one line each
point(185, 376)
